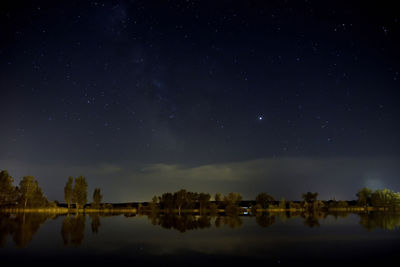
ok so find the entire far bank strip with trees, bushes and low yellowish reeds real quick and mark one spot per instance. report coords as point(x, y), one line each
point(29, 197)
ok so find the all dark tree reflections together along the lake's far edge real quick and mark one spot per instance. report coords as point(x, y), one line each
point(22, 227)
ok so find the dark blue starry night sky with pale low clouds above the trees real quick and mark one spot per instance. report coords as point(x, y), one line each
point(145, 97)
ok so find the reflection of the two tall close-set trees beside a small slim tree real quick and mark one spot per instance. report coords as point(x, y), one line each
point(73, 229)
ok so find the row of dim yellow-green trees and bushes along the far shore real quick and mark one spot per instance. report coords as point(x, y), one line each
point(28, 194)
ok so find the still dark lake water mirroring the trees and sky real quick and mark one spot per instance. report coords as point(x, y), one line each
point(269, 239)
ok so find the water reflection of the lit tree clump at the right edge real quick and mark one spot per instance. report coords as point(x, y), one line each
point(383, 220)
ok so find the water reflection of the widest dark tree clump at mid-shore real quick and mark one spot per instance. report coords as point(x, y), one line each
point(181, 223)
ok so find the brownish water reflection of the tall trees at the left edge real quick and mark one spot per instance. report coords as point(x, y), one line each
point(22, 227)
